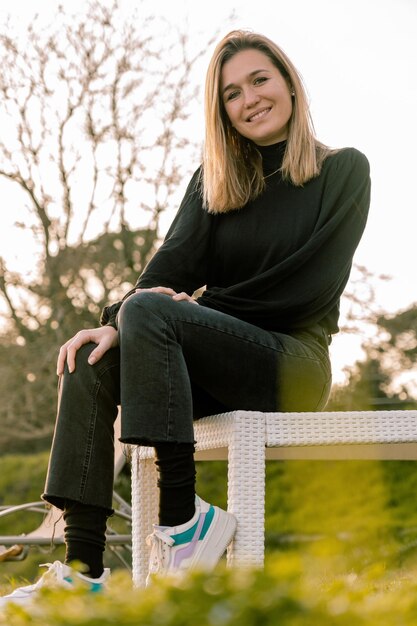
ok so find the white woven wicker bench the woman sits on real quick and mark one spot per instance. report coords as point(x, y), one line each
point(246, 439)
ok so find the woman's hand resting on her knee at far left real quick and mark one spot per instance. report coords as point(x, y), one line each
point(105, 337)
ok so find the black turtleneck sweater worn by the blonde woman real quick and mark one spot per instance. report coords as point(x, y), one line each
point(283, 260)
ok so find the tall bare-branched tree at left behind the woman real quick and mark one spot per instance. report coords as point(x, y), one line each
point(93, 109)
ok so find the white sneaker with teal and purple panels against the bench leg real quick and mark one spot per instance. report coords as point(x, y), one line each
point(197, 544)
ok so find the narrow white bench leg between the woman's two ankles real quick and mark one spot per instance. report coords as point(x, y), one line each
point(144, 513)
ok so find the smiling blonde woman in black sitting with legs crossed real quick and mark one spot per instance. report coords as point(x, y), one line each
point(268, 225)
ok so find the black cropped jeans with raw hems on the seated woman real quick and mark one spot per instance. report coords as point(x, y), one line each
point(176, 362)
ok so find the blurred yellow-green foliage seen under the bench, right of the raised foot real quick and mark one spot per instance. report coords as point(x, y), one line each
point(349, 514)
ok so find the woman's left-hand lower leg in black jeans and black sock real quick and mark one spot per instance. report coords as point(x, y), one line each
point(81, 465)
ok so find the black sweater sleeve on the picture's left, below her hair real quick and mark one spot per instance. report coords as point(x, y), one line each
point(181, 261)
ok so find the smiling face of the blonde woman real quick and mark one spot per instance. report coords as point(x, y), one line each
point(256, 97)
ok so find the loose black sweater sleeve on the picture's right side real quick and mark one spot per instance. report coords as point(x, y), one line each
point(303, 288)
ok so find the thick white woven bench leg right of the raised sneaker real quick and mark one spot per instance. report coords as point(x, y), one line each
point(246, 491)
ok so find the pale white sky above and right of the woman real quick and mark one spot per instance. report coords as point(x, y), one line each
point(358, 59)
